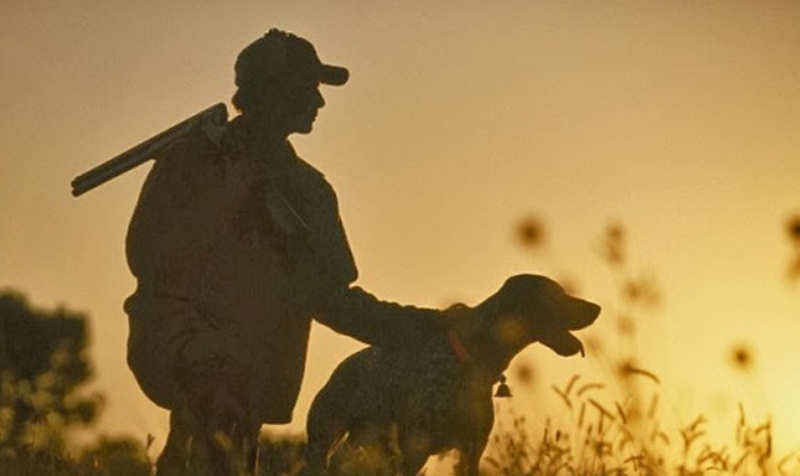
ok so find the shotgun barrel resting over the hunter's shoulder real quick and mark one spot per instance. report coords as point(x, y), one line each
point(215, 115)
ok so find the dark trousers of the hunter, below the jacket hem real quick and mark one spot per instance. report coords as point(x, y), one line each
point(211, 432)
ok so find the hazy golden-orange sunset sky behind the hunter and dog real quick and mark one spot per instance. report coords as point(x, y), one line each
point(678, 120)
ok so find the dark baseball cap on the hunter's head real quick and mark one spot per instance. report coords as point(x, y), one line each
point(279, 53)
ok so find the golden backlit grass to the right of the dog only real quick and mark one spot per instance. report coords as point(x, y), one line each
point(631, 438)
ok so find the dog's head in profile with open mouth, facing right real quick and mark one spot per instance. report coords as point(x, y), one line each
point(531, 308)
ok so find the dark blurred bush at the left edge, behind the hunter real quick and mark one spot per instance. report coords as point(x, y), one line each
point(43, 364)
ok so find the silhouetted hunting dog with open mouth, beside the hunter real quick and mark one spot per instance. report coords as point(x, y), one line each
point(439, 398)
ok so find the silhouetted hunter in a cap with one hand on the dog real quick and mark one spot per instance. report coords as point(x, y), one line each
point(237, 244)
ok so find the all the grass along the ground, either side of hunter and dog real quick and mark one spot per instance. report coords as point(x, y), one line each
point(594, 437)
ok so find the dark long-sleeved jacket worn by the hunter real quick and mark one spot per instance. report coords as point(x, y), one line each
point(212, 261)
